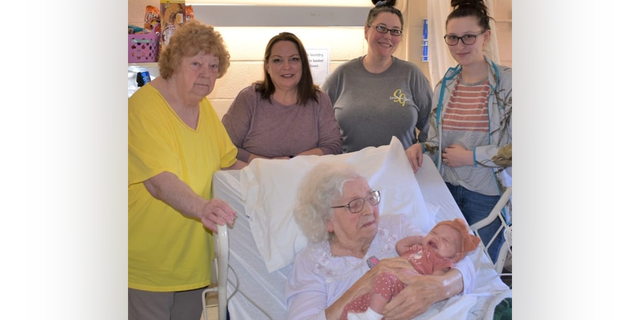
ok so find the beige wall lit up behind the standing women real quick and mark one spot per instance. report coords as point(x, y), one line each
point(246, 45)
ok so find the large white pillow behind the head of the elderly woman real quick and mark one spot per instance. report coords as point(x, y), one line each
point(269, 190)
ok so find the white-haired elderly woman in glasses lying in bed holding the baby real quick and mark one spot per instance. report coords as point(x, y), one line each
point(338, 213)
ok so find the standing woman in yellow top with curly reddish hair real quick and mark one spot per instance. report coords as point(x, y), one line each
point(176, 143)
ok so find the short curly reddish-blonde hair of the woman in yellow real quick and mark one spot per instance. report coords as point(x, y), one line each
point(189, 39)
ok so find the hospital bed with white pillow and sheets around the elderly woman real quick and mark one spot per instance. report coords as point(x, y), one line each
point(251, 282)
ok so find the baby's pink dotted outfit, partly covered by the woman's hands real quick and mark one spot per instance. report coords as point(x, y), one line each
point(424, 261)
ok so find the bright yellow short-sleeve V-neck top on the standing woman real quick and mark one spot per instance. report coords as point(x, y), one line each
point(167, 251)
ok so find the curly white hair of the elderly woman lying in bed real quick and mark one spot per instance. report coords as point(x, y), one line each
point(318, 190)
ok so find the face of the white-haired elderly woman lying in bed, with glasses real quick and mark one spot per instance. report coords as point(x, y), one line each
point(353, 232)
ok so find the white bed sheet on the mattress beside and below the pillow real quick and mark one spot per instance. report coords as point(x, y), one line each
point(255, 283)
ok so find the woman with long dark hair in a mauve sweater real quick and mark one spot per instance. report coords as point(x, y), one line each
point(286, 114)
